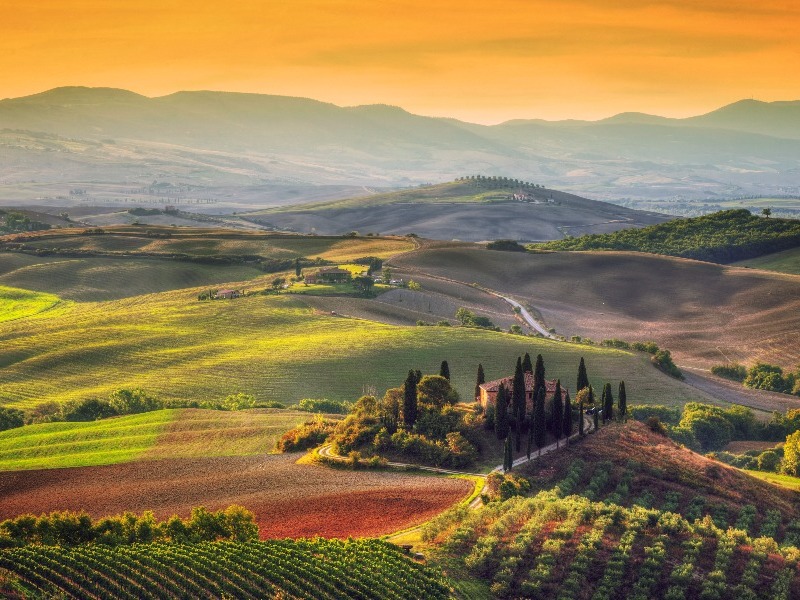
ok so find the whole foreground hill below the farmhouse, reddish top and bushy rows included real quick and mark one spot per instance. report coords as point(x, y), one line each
point(626, 514)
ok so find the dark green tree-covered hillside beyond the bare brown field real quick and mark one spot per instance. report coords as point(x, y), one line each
point(722, 237)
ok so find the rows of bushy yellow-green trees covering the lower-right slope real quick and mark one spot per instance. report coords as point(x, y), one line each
point(567, 547)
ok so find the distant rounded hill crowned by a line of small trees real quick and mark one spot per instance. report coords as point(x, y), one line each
point(471, 209)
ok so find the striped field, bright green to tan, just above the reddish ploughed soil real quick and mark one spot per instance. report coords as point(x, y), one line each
point(177, 433)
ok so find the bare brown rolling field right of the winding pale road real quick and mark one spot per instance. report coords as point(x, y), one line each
point(704, 313)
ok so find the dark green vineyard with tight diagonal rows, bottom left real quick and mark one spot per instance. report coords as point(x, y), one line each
point(314, 569)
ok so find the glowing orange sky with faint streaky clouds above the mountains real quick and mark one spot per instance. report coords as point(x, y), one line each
point(484, 61)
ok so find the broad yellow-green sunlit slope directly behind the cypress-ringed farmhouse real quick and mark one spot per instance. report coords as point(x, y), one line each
point(275, 347)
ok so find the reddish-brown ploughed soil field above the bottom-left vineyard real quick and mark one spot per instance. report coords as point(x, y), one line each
point(289, 500)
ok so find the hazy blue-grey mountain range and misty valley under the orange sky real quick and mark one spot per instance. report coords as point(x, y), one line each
point(251, 150)
